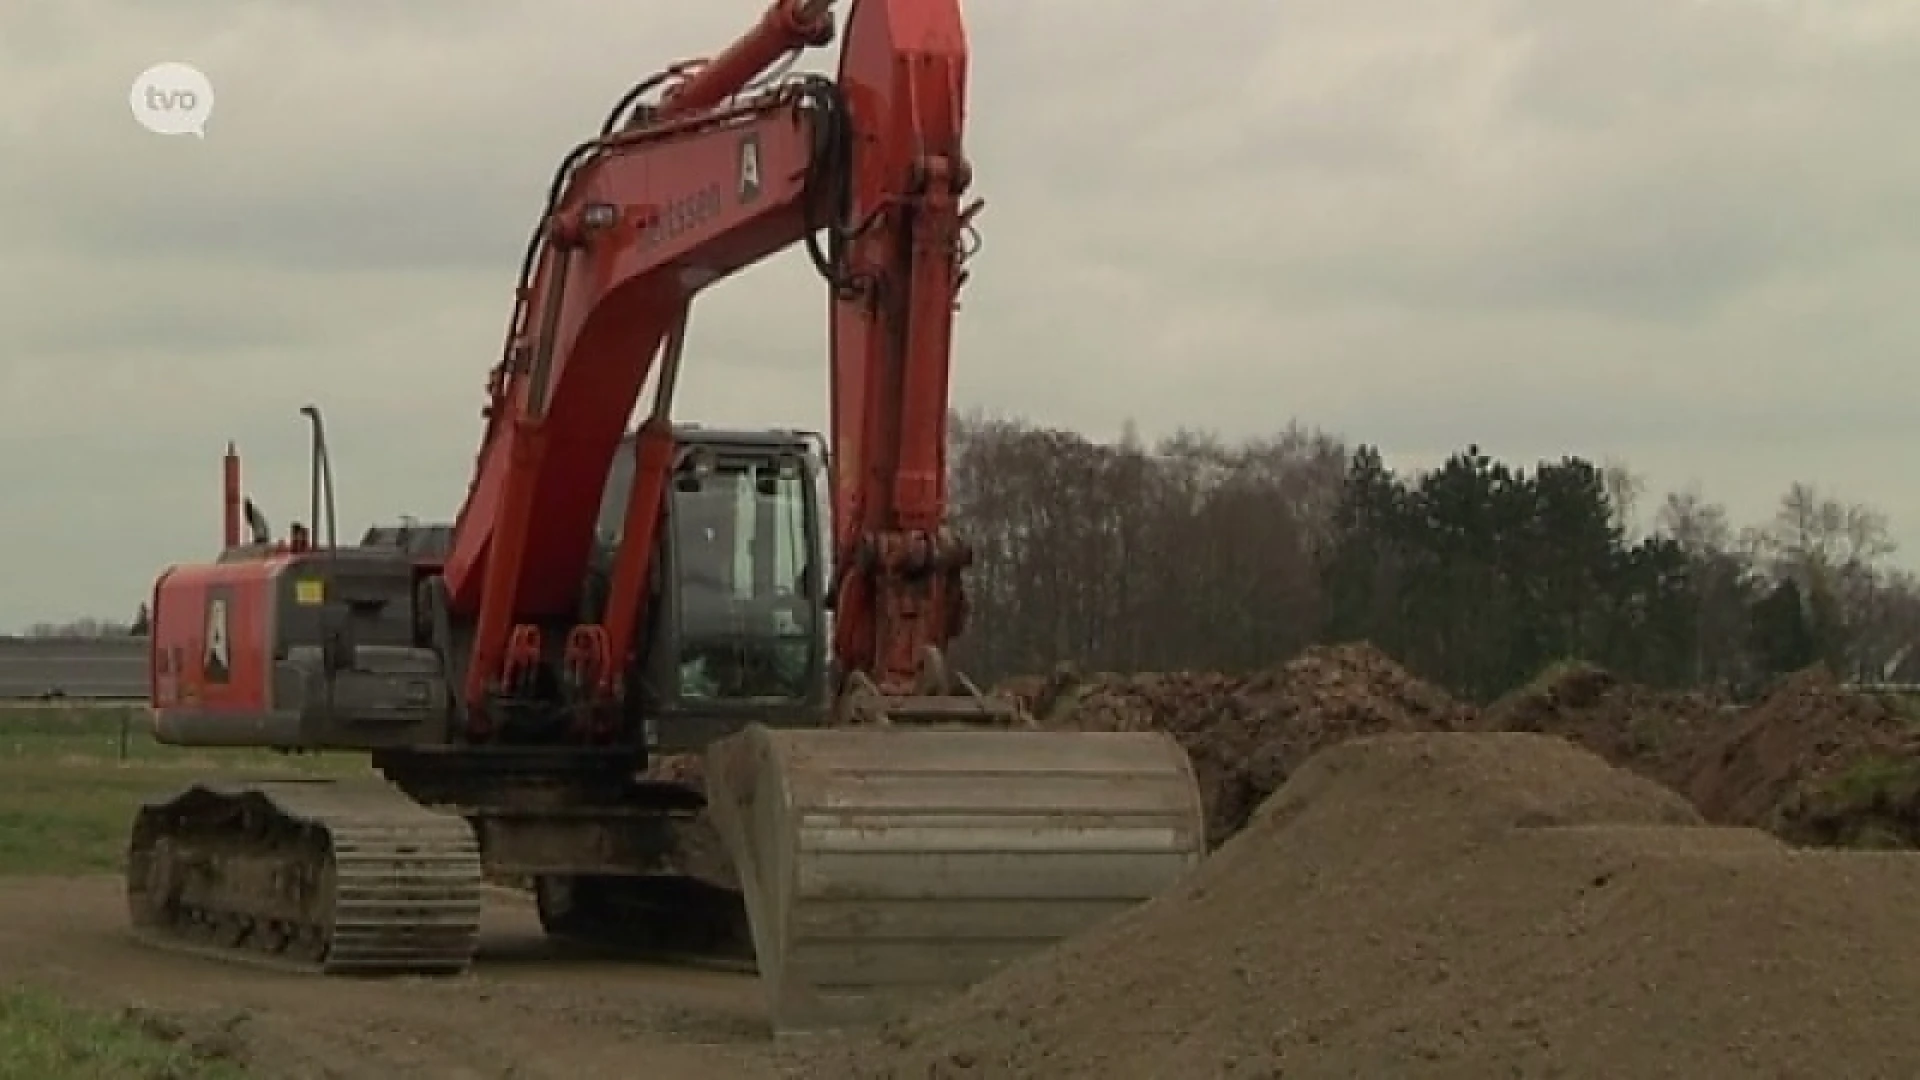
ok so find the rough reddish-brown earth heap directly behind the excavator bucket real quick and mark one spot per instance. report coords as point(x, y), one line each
point(1247, 733)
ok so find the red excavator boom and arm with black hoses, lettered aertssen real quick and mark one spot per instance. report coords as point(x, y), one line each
point(869, 172)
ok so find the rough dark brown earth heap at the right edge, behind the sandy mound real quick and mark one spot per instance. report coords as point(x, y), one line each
point(1817, 766)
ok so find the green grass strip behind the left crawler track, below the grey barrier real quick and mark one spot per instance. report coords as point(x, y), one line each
point(70, 785)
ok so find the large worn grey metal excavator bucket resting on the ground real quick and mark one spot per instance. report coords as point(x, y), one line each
point(884, 868)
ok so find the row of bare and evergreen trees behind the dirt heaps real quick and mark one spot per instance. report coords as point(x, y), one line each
point(1477, 574)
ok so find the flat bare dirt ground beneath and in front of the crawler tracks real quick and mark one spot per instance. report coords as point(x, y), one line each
point(525, 1012)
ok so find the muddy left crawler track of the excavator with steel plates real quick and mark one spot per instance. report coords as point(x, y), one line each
point(310, 875)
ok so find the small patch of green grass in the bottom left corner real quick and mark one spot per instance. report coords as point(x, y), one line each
point(43, 1039)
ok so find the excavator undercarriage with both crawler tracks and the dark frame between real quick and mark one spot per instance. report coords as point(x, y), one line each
point(387, 877)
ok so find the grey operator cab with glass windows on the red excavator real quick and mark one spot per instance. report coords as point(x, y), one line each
point(742, 631)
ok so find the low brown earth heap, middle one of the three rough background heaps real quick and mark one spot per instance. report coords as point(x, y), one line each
point(1656, 733)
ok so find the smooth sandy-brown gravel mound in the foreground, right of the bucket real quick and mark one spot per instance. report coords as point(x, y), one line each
point(1460, 906)
